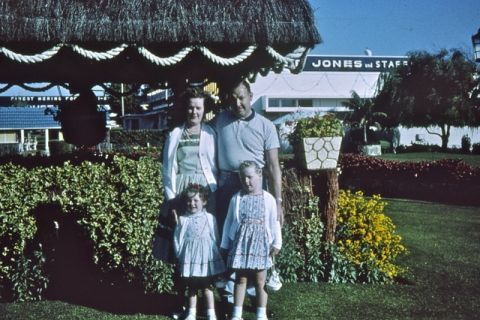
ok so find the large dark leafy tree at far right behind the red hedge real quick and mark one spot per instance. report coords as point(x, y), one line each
point(432, 90)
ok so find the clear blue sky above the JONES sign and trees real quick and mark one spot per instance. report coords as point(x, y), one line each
point(393, 28)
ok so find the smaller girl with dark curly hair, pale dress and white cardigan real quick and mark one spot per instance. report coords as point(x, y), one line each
point(196, 248)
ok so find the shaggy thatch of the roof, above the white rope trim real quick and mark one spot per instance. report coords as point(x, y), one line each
point(262, 22)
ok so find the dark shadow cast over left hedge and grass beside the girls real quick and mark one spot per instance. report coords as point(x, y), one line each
point(75, 279)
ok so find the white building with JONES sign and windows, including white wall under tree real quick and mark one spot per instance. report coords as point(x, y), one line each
point(327, 81)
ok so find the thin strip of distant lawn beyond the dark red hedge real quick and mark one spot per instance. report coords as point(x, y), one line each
point(472, 159)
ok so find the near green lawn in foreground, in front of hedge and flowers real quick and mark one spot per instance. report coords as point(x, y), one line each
point(443, 282)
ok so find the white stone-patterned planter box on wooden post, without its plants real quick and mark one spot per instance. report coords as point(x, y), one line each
point(321, 153)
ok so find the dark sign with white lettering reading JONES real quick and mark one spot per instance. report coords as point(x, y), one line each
point(353, 63)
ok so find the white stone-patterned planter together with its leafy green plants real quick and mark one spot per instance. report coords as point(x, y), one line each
point(316, 141)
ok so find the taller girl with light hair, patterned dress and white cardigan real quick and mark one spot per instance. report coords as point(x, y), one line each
point(251, 236)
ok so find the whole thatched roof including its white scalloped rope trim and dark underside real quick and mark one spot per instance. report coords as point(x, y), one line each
point(150, 40)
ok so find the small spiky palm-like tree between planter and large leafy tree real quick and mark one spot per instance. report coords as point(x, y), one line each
point(363, 114)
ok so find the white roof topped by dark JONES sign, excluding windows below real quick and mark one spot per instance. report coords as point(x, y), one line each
point(328, 77)
